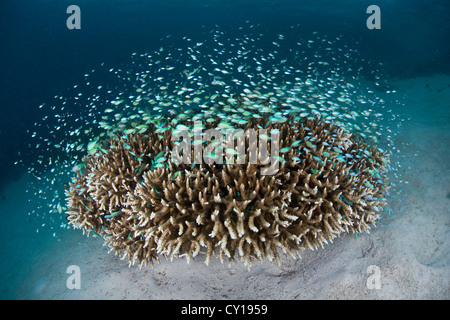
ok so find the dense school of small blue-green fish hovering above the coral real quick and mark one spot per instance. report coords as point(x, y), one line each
point(279, 76)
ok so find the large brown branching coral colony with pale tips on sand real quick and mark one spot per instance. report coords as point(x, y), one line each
point(145, 204)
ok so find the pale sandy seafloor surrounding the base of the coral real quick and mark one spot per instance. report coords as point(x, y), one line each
point(411, 246)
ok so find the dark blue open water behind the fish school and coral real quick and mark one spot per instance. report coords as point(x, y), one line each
point(41, 58)
